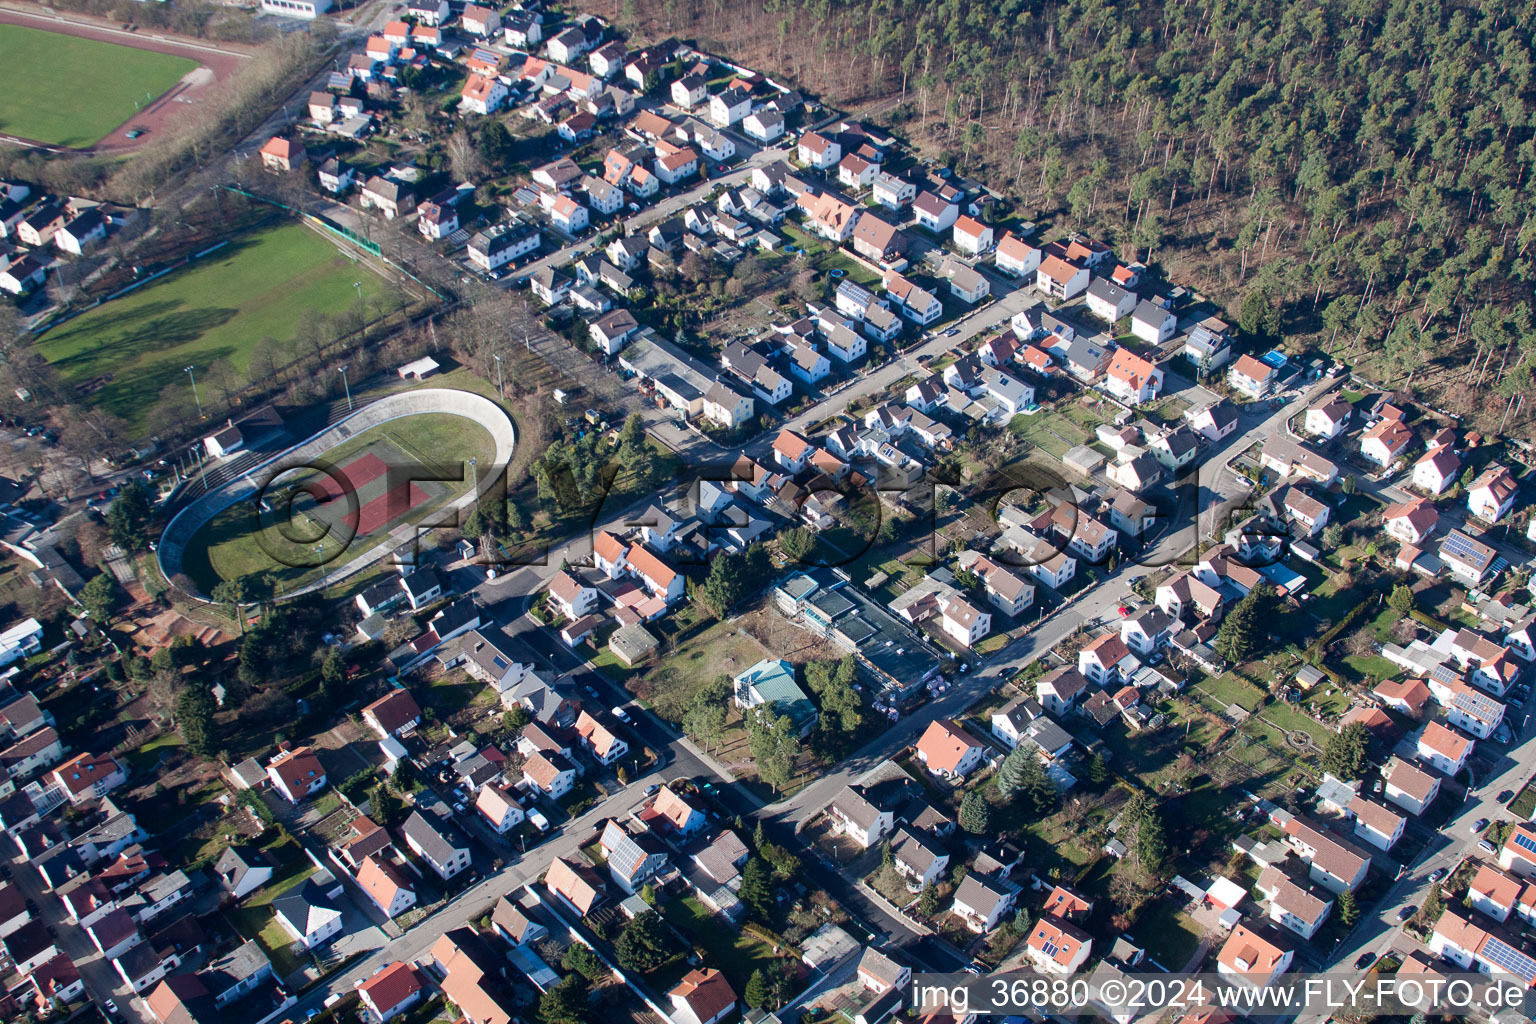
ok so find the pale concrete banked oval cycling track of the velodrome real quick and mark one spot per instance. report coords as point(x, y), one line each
point(454, 403)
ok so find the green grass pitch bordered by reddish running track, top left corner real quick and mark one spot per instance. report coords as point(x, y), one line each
point(71, 91)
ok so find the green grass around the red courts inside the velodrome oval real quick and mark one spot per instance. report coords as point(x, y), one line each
point(242, 541)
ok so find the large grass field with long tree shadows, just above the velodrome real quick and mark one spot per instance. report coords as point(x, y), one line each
point(125, 352)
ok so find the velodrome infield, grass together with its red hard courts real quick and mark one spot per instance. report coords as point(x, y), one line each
point(368, 486)
